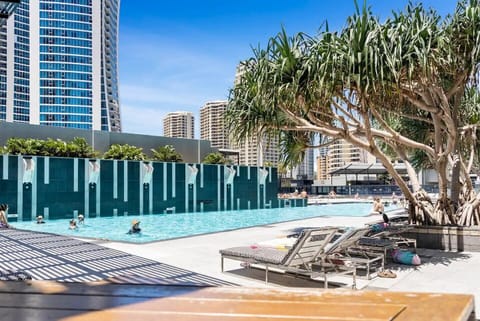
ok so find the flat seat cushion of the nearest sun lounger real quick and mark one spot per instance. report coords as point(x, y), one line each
point(259, 254)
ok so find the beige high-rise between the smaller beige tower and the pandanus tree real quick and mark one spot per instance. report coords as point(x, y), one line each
point(212, 124)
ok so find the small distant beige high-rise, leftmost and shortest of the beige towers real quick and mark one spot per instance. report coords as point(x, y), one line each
point(180, 124)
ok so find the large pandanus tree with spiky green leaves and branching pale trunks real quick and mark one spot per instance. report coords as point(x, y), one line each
point(398, 89)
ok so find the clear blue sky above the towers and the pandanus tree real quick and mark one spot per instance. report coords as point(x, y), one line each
point(177, 55)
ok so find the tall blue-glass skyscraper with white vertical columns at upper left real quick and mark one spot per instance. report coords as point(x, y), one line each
point(60, 59)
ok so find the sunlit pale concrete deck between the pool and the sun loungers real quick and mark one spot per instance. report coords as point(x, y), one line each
point(441, 272)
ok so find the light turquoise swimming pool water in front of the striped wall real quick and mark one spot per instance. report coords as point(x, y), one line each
point(167, 226)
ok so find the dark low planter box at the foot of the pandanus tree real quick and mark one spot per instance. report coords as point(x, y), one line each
point(447, 238)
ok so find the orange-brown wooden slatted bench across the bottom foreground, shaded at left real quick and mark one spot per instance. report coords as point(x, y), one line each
point(45, 300)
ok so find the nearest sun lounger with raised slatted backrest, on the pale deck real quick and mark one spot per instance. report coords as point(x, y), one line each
point(305, 257)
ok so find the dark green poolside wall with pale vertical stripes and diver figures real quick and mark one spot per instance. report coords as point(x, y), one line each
point(64, 187)
